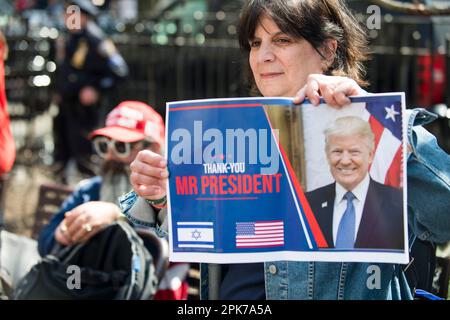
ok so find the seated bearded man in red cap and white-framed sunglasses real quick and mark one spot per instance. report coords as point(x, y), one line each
point(130, 127)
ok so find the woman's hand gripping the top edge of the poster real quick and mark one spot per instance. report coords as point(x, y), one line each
point(335, 90)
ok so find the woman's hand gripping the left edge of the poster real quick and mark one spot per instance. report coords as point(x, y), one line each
point(149, 175)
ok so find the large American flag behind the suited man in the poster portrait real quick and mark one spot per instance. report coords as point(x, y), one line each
point(386, 122)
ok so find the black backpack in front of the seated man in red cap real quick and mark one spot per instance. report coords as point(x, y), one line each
point(113, 264)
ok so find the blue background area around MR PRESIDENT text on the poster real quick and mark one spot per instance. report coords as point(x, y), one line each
point(224, 214)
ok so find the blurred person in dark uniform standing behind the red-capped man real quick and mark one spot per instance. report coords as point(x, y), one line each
point(89, 69)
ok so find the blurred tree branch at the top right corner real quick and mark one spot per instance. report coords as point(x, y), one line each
point(414, 9)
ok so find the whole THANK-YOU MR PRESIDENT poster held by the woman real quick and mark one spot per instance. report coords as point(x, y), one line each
point(263, 179)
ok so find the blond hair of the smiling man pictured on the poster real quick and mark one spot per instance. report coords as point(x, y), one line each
point(350, 126)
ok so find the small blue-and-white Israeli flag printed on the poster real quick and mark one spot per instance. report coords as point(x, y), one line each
point(195, 235)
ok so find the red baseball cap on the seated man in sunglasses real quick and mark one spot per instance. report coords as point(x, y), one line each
point(133, 121)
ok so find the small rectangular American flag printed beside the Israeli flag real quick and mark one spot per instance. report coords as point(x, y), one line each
point(260, 234)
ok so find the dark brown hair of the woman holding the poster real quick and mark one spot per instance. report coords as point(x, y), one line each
point(314, 21)
